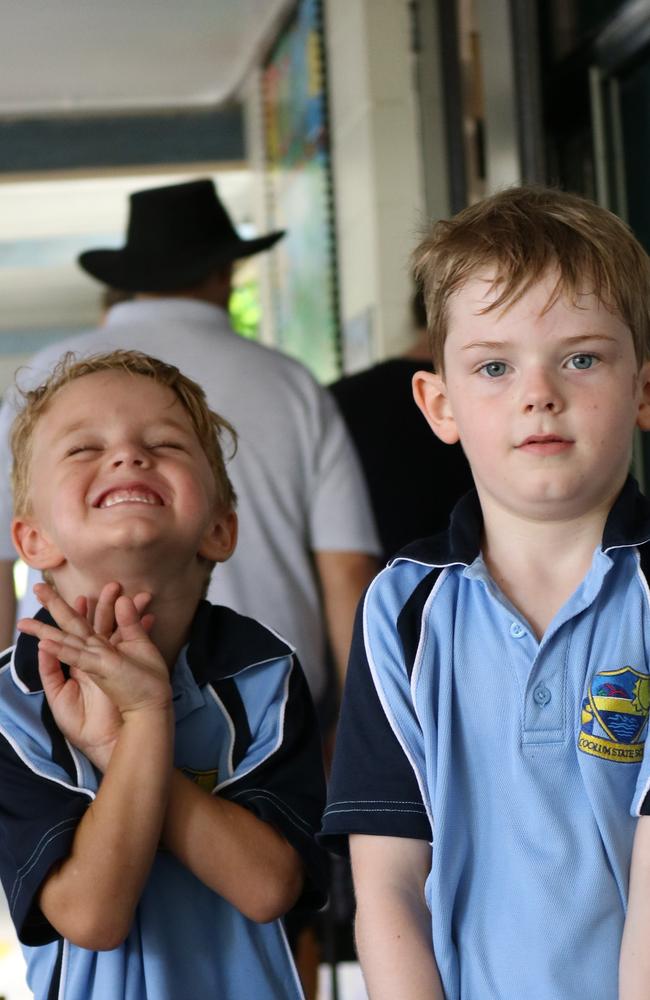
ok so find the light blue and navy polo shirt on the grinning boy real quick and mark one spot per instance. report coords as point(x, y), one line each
point(246, 730)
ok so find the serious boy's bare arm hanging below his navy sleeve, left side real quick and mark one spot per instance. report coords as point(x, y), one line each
point(393, 923)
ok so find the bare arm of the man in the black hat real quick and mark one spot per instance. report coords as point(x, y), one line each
point(343, 578)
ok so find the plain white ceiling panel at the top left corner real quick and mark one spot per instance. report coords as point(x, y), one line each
point(101, 55)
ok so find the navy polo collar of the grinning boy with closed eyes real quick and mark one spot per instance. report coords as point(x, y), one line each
point(221, 644)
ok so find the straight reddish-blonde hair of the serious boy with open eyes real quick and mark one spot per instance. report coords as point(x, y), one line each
point(521, 234)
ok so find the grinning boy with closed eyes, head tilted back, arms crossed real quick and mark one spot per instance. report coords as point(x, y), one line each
point(160, 771)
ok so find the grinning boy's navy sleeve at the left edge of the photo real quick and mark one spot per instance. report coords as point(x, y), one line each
point(38, 819)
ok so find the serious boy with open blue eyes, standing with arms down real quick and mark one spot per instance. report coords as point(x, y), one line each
point(489, 773)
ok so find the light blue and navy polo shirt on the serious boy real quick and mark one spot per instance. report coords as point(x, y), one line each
point(521, 761)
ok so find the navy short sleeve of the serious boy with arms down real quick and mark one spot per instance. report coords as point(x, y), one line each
point(373, 789)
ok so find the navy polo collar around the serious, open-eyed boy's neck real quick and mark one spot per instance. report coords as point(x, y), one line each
point(627, 525)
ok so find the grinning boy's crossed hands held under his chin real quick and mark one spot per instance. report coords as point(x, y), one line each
point(115, 669)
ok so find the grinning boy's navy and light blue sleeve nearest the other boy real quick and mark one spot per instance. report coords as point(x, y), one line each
point(281, 777)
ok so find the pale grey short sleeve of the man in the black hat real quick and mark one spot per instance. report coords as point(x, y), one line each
point(341, 517)
